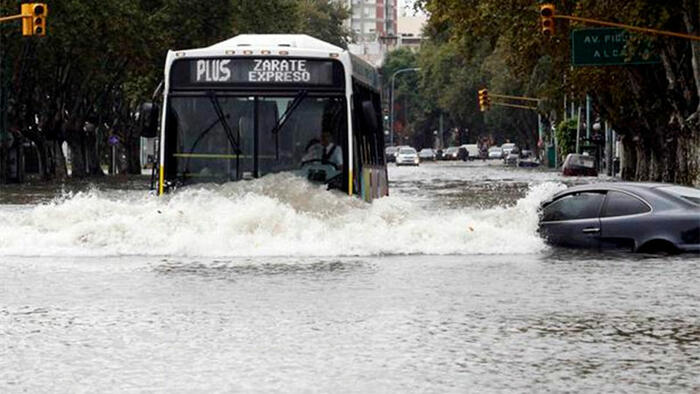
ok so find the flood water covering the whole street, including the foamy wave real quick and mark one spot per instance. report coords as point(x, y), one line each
point(275, 285)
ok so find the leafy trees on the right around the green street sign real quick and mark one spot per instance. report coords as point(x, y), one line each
point(655, 108)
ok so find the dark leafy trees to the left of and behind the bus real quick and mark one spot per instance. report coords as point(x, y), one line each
point(100, 59)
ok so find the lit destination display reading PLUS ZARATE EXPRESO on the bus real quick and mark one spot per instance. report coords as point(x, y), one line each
point(222, 71)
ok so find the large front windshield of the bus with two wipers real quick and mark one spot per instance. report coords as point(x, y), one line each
point(231, 137)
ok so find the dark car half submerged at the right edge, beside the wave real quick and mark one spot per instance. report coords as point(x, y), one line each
point(640, 217)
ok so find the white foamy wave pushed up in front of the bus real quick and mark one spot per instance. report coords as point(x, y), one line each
point(277, 215)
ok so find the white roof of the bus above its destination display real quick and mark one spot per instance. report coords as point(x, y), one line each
point(295, 45)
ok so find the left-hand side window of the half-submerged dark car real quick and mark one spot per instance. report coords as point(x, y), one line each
point(574, 206)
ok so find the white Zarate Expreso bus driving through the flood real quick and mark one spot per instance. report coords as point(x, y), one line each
point(259, 104)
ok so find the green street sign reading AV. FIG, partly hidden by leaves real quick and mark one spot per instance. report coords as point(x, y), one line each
point(607, 47)
